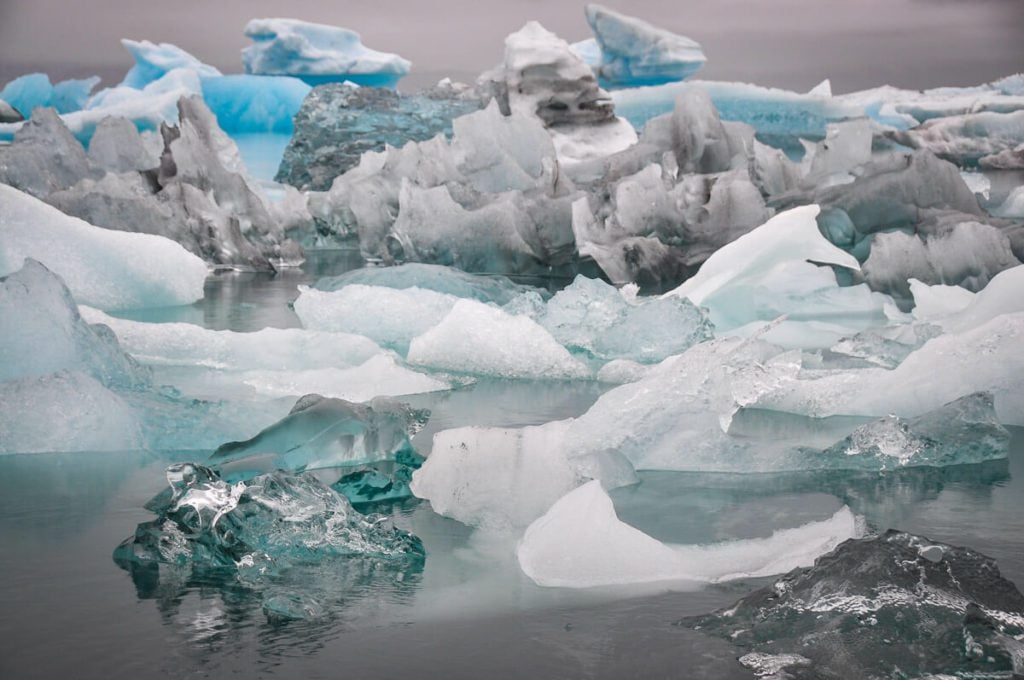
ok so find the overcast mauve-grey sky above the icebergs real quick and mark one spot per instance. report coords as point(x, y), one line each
point(788, 44)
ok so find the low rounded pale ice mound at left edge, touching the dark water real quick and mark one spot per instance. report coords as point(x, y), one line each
point(65, 411)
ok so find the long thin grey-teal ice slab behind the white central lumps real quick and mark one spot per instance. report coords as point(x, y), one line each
point(496, 290)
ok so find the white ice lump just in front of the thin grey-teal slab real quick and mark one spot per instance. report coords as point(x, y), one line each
point(390, 317)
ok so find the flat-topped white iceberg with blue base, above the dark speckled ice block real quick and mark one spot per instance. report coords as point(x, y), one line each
point(318, 54)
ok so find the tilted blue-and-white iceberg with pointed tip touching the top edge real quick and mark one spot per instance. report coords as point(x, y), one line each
point(628, 52)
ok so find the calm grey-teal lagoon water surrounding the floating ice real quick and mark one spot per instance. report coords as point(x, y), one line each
point(70, 612)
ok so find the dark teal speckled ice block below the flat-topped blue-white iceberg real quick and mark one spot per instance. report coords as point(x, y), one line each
point(338, 123)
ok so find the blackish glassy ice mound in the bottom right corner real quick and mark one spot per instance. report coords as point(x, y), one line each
point(951, 609)
